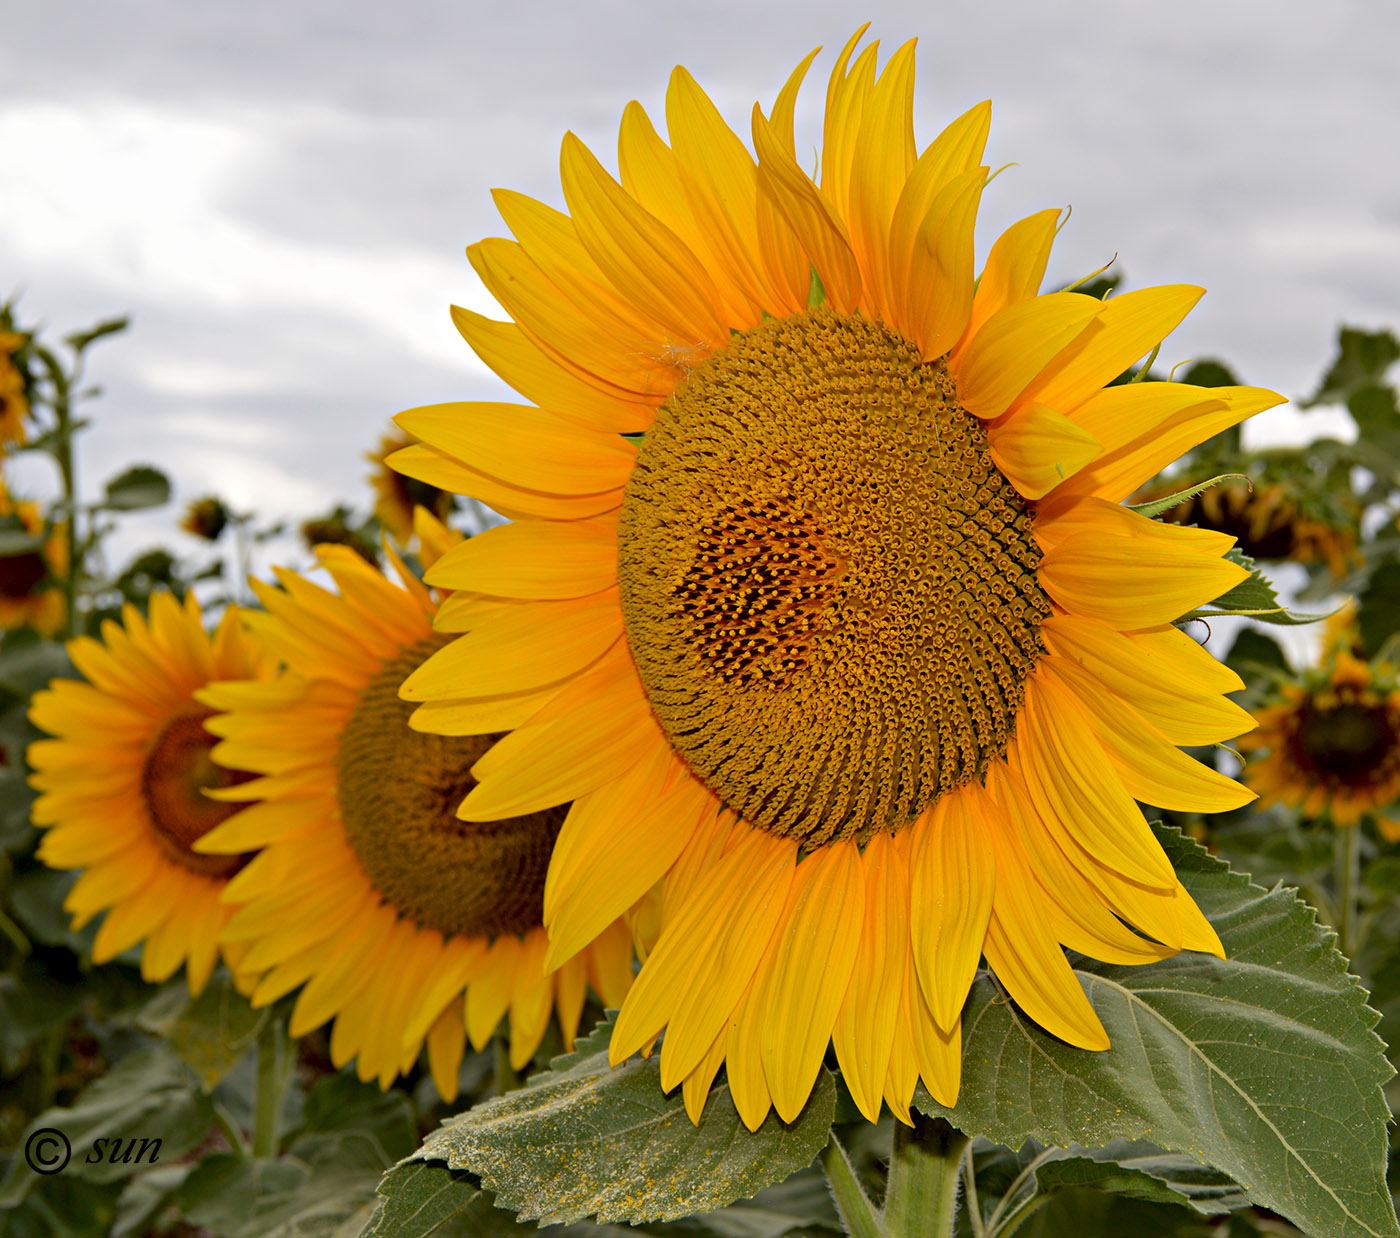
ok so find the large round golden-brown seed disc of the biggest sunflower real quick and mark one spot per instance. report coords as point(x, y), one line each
point(828, 586)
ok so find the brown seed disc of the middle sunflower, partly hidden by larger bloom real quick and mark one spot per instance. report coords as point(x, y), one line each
point(400, 791)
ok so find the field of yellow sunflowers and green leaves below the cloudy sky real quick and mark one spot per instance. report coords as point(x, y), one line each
point(863, 746)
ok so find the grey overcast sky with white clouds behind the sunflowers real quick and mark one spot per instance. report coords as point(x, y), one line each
point(281, 193)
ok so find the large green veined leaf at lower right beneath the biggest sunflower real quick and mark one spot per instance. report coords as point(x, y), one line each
point(1265, 1065)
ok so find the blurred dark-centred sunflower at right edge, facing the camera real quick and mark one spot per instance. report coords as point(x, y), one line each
point(1329, 747)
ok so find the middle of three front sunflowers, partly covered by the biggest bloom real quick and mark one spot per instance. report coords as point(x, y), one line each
point(367, 889)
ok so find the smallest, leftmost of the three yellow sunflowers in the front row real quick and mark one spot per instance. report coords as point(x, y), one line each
point(124, 784)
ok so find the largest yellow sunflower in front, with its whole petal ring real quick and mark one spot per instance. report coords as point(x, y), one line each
point(820, 601)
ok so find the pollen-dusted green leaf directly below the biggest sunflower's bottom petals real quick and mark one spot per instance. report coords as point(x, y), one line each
point(586, 1141)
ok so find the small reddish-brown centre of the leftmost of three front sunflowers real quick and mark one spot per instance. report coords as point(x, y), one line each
point(177, 772)
